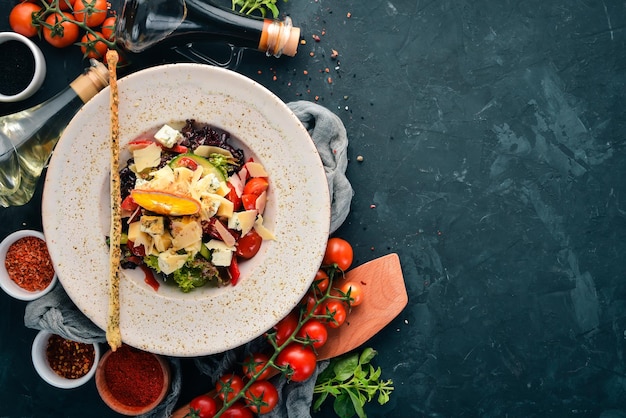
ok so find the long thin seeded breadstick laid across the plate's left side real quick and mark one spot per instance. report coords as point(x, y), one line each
point(113, 333)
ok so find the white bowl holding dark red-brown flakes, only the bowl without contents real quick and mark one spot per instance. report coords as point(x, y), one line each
point(40, 361)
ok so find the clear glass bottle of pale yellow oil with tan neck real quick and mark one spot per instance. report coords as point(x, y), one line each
point(27, 138)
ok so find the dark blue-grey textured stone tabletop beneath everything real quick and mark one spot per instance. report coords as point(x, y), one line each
point(493, 141)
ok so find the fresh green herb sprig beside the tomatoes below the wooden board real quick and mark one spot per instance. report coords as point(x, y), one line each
point(353, 382)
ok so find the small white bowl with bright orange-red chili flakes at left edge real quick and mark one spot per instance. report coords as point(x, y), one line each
point(21, 264)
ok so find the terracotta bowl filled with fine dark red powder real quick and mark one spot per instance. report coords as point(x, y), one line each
point(131, 381)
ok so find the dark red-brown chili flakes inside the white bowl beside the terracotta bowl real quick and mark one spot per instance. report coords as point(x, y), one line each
point(69, 359)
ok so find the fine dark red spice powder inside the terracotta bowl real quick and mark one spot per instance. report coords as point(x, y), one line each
point(134, 377)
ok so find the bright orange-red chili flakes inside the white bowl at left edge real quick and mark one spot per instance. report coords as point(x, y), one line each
point(28, 264)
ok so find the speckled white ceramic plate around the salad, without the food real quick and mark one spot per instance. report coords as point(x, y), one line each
point(76, 211)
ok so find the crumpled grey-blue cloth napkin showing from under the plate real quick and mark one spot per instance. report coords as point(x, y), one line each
point(56, 313)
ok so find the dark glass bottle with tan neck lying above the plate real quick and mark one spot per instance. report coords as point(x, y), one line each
point(144, 23)
